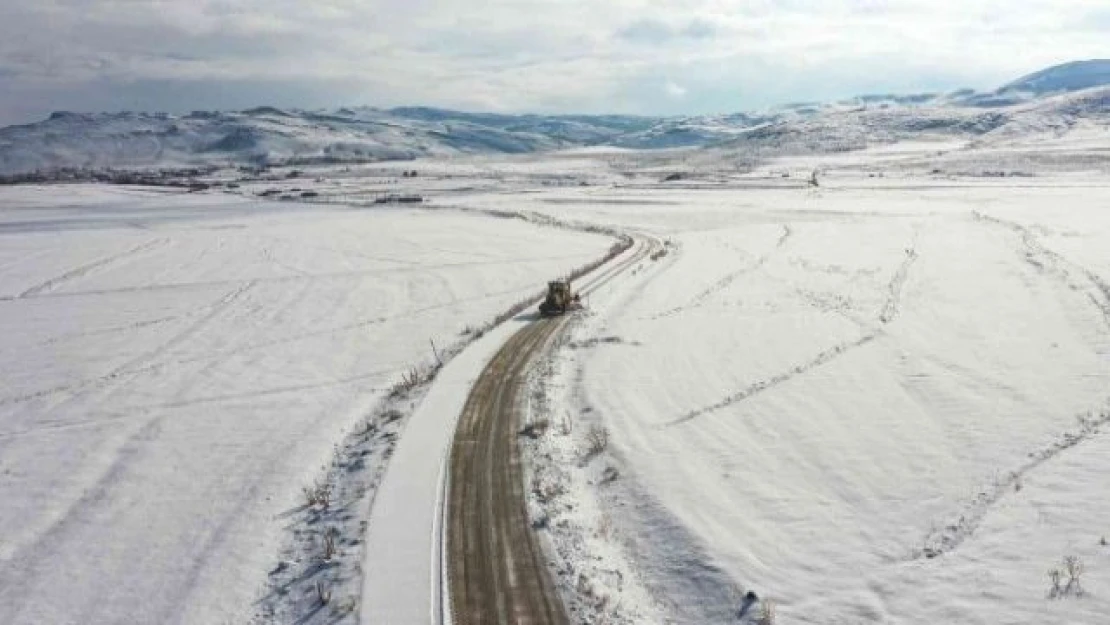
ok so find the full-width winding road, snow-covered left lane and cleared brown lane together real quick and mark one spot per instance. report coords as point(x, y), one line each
point(408, 568)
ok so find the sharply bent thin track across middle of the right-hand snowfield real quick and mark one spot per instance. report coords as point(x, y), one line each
point(891, 310)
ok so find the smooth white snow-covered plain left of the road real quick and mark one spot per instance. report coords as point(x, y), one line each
point(177, 368)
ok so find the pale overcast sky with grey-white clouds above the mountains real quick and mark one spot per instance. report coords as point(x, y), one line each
point(521, 56)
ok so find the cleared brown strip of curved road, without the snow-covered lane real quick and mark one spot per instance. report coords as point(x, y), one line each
point(496, 568)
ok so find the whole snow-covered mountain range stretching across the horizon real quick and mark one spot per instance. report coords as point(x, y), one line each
point(1053, 100)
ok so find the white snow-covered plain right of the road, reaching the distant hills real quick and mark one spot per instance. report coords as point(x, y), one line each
point(885, 400)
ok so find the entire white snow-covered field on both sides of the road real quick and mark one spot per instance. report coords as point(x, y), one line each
point(882, 400)
